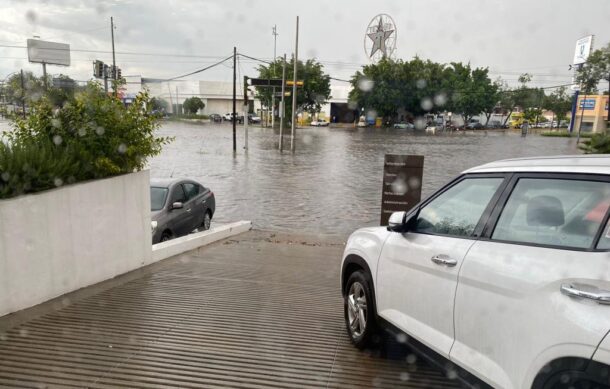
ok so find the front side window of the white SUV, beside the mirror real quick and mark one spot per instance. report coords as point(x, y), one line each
point(458, 210)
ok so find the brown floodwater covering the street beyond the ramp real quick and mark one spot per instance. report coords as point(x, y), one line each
point(332, 184)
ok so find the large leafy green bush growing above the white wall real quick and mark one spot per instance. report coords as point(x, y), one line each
point(94, 133)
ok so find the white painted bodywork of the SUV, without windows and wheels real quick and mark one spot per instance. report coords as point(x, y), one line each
point(498, 310)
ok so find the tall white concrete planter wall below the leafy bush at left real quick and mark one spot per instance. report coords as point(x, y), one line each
point(57, 241)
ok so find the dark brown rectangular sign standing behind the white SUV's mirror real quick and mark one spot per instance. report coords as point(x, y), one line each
point(402, 181)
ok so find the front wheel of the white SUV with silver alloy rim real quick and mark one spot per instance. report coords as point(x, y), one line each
point(359, 310)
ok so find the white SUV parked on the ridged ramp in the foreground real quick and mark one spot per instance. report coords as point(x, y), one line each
point(505, 272)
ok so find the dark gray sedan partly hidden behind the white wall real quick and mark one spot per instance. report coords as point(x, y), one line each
point(178, 207)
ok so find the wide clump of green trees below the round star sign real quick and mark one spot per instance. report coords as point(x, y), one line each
point(416, 87)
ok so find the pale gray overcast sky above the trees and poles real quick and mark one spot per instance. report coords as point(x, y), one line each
point(509, 37)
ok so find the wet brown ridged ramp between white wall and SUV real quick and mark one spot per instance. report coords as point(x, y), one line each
point(258, 310)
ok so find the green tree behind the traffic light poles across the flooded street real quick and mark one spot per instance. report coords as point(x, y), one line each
point(310, 97)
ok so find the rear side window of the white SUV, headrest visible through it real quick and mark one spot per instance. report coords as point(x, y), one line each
point(554, 212)
